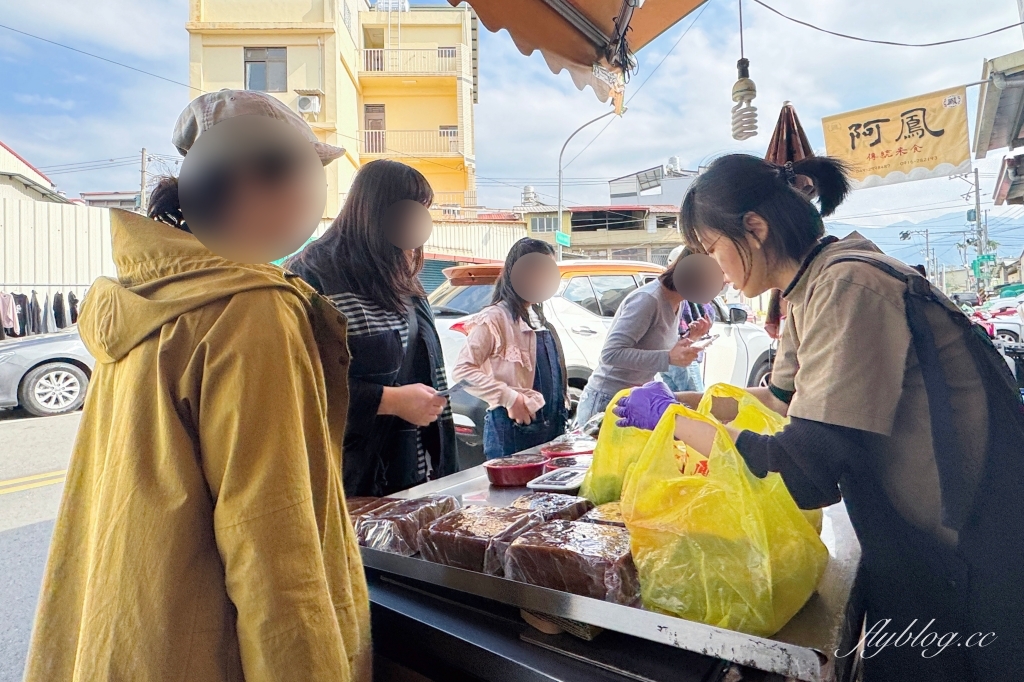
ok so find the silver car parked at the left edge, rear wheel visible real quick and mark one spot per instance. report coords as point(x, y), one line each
point(47, 374)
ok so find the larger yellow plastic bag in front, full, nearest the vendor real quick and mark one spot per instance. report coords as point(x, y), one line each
point(728, 548)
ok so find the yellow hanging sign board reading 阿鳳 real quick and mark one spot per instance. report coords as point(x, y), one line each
point(911, 140)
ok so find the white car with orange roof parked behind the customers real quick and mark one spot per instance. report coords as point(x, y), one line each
point(582, 311)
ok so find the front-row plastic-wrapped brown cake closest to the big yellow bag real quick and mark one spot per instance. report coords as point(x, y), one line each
point(589, 560)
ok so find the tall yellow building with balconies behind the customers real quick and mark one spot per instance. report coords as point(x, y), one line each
point(393, 81)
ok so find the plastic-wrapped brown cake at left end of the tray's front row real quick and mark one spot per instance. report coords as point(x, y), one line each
point(394, 528)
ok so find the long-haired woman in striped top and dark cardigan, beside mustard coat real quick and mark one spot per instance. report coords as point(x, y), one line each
point(400, 432)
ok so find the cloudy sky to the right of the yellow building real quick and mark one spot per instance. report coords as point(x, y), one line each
point(526, 113)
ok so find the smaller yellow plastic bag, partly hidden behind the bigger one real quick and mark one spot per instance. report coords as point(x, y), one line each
point(617, 449)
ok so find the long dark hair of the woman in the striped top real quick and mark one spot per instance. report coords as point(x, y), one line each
point(355, 253)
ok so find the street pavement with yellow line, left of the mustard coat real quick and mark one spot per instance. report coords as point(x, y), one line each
point(34, 455)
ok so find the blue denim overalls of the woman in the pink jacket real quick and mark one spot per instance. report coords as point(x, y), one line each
point(502, 437)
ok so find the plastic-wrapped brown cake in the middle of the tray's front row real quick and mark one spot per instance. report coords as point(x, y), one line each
point(476, 538)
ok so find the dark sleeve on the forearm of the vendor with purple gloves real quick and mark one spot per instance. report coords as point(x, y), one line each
point(810, 456)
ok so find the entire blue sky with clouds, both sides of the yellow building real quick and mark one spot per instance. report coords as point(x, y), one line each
point(58, 107)
